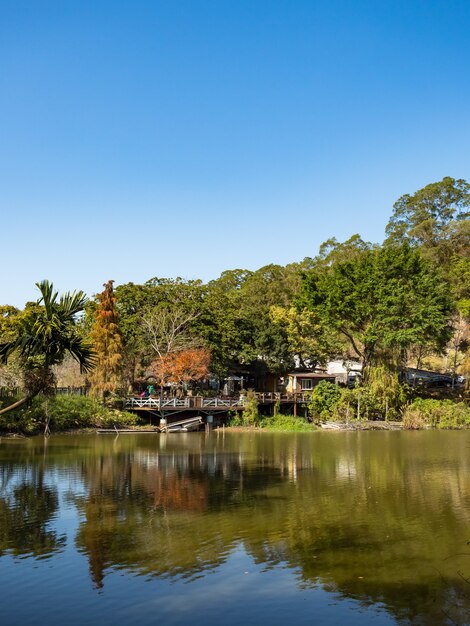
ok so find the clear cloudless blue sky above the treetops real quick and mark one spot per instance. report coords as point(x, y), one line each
point(186, 137)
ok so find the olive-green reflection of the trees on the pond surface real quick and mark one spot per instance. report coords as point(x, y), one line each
point(383, 518)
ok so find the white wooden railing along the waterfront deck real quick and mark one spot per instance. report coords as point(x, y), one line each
point(209, 405)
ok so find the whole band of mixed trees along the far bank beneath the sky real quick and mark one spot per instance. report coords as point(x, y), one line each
point(403, 302)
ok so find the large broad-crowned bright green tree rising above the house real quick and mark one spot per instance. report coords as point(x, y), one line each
point(383, 301)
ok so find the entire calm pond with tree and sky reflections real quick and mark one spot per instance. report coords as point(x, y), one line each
point(320, 528)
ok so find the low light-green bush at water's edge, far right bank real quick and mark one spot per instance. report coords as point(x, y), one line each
point(428, 413)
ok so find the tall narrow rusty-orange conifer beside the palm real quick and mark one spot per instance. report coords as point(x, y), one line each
point(107, 343)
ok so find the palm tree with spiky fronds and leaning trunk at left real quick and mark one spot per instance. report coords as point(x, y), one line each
point(45, 337)
